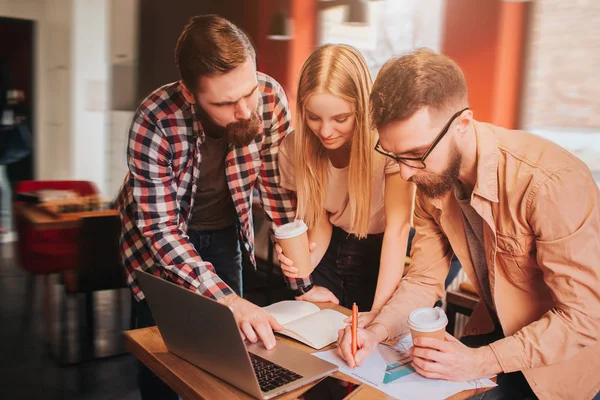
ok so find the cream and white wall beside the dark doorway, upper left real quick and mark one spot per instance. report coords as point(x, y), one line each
point(71, 86)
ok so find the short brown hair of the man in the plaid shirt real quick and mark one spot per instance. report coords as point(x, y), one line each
point(208, 45)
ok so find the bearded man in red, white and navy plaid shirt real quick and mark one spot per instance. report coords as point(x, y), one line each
point(197, 149)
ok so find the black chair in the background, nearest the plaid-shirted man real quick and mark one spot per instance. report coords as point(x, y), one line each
point(98, 267)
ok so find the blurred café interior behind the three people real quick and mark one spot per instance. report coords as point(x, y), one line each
point(74, 71)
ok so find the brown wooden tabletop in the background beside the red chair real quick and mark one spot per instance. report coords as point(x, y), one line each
point(42, 219)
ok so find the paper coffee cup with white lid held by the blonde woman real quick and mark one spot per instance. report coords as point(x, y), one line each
point(293, 239)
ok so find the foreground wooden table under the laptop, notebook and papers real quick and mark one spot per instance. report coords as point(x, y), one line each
point(192, 383)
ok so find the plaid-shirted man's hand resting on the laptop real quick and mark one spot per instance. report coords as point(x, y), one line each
point(254, 322)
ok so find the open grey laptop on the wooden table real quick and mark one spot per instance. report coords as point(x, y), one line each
point(205, 333)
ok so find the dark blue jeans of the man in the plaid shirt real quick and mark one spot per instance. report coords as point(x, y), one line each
point(222, 249)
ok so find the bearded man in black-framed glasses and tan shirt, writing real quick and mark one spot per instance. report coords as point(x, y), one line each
point(523, 217)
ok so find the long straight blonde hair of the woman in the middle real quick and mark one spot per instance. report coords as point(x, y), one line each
point(341, 71)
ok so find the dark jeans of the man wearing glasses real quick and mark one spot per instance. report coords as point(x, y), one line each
point(510, 386)
